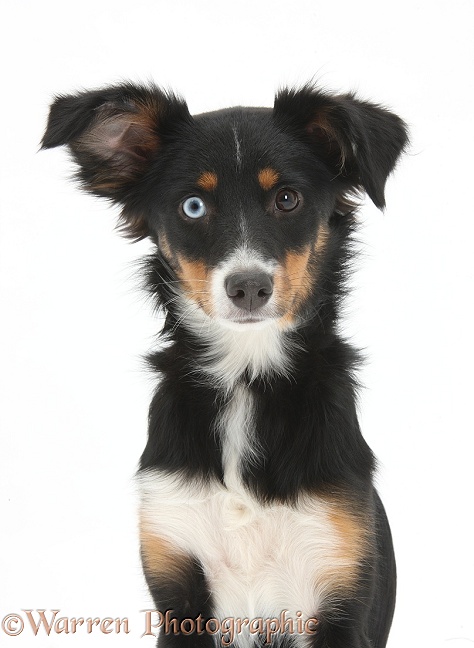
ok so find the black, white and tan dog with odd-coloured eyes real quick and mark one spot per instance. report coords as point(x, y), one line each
point(257, 495)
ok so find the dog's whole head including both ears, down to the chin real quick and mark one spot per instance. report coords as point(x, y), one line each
point(239, 202)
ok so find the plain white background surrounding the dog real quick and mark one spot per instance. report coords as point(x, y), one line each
point(74, 394)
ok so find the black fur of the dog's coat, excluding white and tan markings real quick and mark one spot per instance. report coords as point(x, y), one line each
point(140, 147)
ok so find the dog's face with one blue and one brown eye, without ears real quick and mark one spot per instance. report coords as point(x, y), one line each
point(239, 218)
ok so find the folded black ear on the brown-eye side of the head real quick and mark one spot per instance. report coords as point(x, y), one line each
point(359, 141)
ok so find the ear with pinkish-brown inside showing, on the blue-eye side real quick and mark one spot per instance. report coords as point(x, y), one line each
point(114, 134)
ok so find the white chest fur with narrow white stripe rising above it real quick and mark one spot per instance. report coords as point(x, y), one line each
point(258, 559)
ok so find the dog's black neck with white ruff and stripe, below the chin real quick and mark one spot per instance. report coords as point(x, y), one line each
point(236, 395)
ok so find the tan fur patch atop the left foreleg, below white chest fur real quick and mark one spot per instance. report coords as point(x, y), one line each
point(160, 559)
